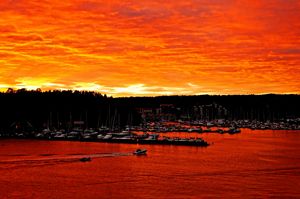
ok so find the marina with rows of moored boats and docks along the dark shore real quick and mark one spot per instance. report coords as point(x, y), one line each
point(154, 133)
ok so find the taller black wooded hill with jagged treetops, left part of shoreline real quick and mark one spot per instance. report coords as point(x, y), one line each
point(62, 110)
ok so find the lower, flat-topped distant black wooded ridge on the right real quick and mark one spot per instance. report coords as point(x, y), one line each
point(272, 107)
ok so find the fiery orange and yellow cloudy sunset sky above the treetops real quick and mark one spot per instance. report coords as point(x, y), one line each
point(151, 47)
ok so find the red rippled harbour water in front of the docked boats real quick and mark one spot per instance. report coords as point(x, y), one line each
point(253, 164)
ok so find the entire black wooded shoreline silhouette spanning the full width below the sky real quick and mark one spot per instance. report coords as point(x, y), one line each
point(32, 110)
